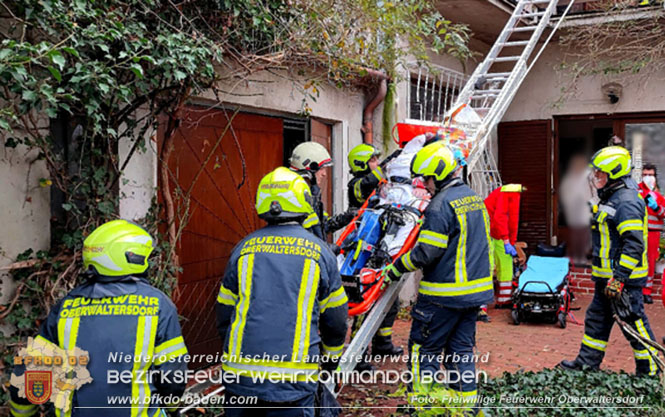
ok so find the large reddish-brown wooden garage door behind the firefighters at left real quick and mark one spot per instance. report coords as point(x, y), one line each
point(223, 184)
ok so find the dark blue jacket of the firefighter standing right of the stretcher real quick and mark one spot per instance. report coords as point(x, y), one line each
point(453, 249)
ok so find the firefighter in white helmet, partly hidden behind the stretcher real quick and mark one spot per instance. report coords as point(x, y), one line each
point(312, 162)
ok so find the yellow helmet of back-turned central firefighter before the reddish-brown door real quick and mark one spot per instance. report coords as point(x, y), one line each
point(283, 194)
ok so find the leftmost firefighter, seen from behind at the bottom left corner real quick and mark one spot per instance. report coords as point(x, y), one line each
point(116, 311)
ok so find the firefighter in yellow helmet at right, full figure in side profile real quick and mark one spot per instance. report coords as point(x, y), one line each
point(619, 266)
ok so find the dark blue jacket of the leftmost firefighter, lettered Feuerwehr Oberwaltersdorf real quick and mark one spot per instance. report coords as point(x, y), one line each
point(118, 316)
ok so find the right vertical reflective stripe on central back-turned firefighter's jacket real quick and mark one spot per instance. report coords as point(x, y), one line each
point(309, 284)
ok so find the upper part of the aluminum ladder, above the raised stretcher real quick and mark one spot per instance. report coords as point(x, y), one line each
point(491, 92)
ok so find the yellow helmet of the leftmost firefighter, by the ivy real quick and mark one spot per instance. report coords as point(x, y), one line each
point(117, 248)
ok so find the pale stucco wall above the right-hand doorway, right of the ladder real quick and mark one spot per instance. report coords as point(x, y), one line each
point(539, 95)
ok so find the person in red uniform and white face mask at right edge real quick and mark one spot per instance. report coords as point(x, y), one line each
point(656, 213)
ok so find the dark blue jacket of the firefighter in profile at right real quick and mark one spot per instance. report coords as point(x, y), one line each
point(619, 233)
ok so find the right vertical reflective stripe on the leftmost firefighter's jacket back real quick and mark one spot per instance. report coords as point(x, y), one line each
point(144, 348)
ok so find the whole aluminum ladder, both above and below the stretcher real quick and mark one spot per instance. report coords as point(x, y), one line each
point(493, 91)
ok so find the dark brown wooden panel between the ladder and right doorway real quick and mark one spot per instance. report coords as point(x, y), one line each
point(525, 150)
